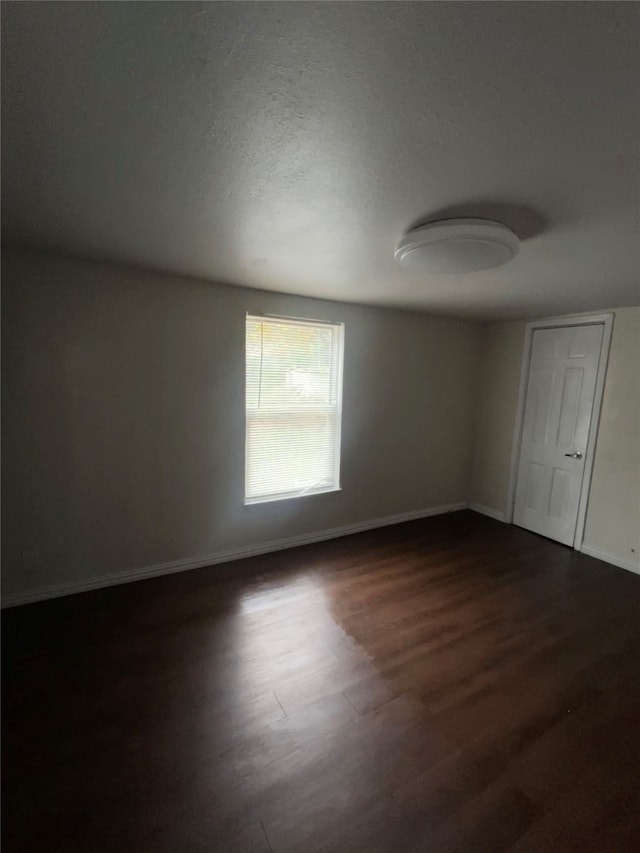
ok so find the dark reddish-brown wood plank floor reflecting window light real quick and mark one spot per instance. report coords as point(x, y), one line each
point(447, 685)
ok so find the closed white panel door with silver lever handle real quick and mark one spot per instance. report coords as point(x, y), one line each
point(557, 416)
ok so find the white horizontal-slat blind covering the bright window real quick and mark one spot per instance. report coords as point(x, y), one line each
point(293, 404)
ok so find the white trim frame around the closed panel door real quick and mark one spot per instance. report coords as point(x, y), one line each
point(605, 320)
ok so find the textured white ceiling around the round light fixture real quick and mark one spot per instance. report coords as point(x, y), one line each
point(288, 146)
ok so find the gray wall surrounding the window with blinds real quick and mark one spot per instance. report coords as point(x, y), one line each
point(124, 419)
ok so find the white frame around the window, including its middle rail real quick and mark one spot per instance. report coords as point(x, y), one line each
point(335, 486)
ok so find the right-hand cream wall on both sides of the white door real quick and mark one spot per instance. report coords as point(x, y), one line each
point(612, 525)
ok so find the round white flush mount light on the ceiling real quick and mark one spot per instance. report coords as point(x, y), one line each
point(454, 246)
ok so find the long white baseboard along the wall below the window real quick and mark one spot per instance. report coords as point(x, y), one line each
point(71, 587)
